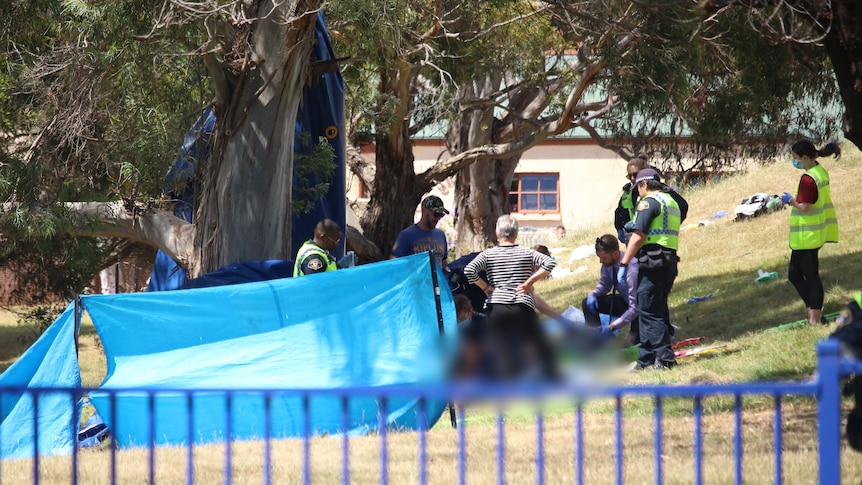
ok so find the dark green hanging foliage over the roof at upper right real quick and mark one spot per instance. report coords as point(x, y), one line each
point(719, 84)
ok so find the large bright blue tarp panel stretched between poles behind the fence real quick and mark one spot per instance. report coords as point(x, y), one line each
point(374, 325)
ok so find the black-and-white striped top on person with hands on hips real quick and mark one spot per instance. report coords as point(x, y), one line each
point(506, 268)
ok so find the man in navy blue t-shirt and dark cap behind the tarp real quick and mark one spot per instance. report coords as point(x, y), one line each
point(424, 235)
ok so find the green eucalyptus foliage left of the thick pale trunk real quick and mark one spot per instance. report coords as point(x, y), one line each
point(102, 103)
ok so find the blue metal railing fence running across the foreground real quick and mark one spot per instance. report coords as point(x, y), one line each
point(825, 388)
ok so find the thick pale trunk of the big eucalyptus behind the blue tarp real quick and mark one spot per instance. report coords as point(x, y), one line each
point(244, 212)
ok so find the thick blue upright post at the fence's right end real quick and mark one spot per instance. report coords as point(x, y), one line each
point(829, 411)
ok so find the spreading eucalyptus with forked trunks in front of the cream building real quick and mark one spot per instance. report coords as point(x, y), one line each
point(657, 77)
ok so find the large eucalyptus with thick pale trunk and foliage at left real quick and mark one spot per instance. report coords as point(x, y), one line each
point(102, 91)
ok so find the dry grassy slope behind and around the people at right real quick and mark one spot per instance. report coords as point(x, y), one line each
point(722, 259)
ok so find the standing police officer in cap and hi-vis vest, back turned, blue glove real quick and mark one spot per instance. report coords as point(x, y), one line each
point(654, 241)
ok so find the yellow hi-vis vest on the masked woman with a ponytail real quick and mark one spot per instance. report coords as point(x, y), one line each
point(819, 225)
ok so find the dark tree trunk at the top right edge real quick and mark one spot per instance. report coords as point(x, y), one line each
point(843, 43)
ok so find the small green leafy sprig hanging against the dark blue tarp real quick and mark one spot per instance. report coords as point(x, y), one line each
point(319, 162)
